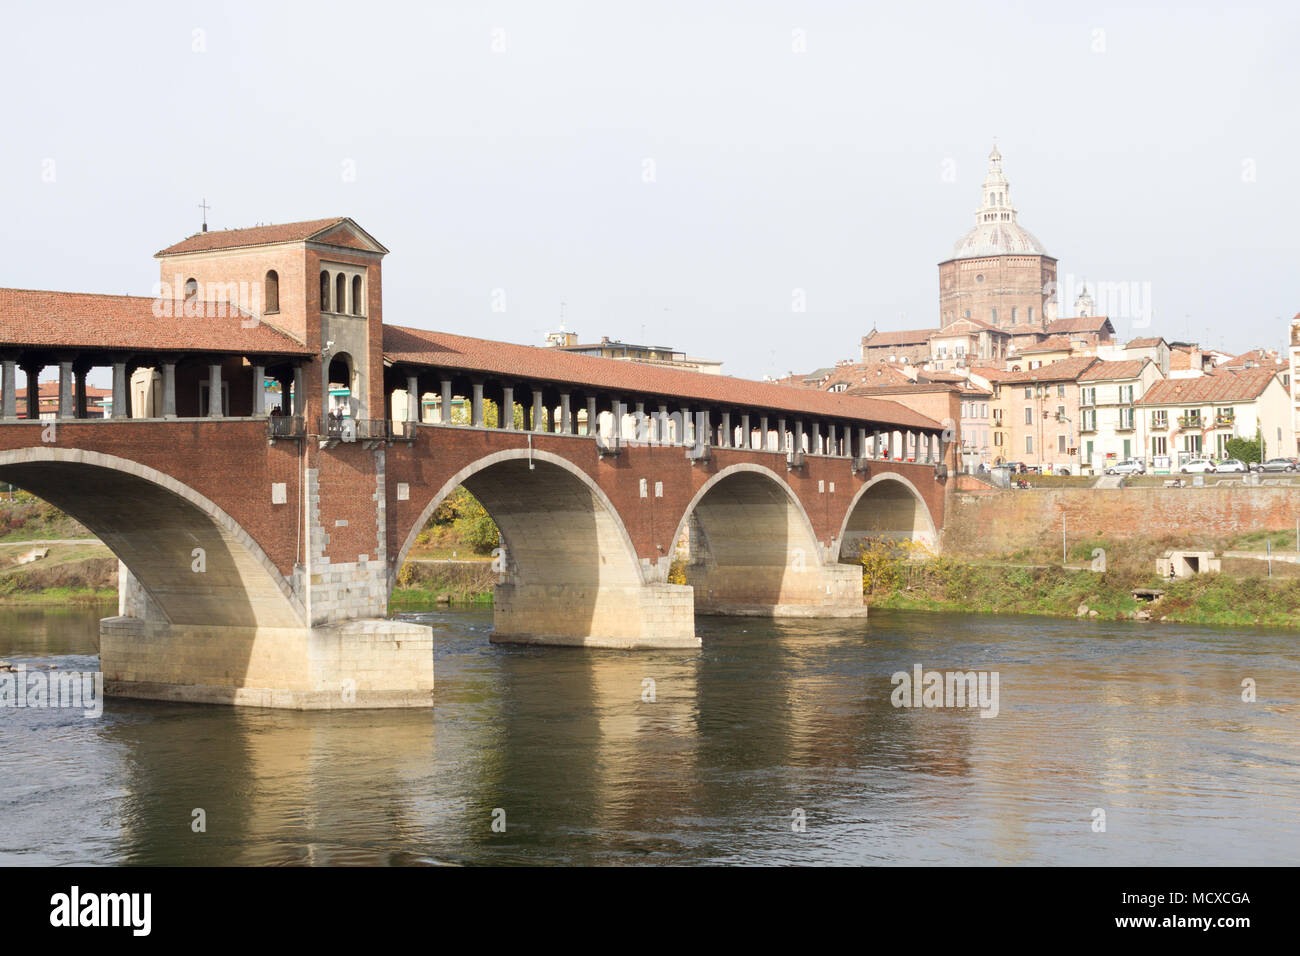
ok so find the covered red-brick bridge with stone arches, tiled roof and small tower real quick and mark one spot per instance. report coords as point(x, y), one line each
point(261, 537)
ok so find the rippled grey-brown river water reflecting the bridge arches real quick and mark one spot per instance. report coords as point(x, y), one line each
point(777, 743)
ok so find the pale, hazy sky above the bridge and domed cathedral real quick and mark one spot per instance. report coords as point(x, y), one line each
point(506, 146)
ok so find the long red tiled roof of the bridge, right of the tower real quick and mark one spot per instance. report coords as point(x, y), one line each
point(526, 362)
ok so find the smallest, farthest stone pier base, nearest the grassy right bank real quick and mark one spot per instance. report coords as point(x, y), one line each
point(831, 591)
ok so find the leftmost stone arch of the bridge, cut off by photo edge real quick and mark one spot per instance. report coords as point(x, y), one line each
point(153, 524)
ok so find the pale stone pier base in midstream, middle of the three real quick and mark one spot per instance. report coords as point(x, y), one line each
point(630, 618)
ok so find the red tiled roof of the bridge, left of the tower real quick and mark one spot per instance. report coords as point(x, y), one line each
point(80, 321)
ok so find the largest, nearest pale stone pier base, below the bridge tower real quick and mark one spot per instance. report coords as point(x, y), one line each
point(354, 664)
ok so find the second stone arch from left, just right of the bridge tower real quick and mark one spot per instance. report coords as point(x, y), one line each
point(530, 507)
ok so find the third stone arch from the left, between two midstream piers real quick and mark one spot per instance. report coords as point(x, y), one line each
point(751, 543)
